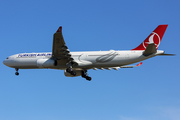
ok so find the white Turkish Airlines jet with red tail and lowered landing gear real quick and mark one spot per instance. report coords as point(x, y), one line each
point(77, 63)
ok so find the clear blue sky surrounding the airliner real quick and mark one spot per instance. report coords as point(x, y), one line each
point(144, 93)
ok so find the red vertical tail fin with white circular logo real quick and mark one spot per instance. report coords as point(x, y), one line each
point(155, 37)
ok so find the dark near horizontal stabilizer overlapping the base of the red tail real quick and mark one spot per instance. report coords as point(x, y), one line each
point(150, 49)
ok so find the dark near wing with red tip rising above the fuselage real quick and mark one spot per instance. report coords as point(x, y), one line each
point(59, 50)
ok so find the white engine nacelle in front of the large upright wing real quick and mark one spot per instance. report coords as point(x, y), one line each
point(46, 63)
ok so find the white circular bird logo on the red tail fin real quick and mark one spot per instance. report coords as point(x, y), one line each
point(153, 38)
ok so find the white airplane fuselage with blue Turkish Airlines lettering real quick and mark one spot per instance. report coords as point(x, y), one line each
point(88, 60)
